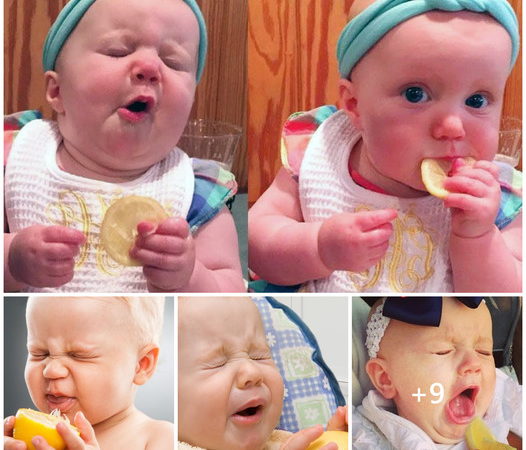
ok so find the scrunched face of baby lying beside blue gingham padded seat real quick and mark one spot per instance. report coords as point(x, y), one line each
point(230, 391)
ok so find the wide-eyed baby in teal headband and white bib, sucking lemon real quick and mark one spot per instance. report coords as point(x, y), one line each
point(349, 212)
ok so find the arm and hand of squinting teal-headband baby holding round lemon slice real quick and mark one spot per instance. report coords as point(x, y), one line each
point(176, 261)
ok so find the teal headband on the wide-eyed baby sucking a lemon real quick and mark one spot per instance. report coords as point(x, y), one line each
point(366, 29)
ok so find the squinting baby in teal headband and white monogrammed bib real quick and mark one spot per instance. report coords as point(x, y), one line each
point(121, 77)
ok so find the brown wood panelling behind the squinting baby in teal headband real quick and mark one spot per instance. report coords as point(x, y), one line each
point(221, 95)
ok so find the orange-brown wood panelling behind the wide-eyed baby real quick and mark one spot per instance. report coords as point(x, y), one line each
point(292, 67)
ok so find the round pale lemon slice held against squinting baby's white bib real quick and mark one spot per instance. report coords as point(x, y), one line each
point(118, 230)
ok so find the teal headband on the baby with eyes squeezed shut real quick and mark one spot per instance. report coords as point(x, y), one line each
point(74, 10)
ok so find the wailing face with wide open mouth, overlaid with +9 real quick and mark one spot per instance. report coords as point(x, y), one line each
point(457, 354)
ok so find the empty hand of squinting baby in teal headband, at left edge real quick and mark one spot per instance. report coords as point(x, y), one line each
point(43, 256)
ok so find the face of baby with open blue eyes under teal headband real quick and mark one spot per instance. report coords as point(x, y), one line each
point(431, 88)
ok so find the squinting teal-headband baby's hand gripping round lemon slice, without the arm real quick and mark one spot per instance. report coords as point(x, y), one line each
point(167, 253)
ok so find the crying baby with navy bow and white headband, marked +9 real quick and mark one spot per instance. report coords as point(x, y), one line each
point(449, 363)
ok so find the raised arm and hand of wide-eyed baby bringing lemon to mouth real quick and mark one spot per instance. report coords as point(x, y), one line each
point(483, 259)
